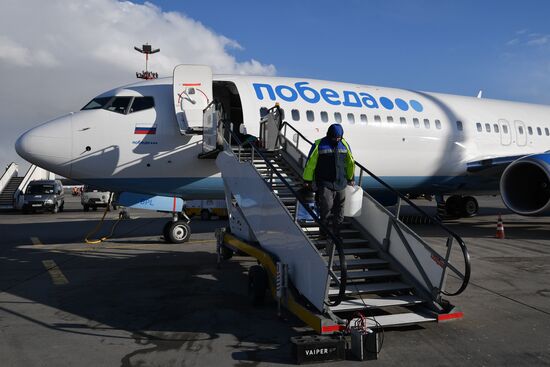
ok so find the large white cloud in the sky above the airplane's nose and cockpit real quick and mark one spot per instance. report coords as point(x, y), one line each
point(55, 55)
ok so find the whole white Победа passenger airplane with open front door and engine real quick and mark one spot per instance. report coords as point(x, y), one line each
point(146, 137)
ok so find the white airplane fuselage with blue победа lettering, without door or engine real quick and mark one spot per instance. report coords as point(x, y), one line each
point(419, 142)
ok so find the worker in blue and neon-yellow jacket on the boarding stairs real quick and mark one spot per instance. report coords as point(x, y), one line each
point(331, 166)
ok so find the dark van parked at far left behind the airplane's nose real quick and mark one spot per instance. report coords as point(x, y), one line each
point(44, 195)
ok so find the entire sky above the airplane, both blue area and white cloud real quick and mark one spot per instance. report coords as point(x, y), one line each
point(81, 48)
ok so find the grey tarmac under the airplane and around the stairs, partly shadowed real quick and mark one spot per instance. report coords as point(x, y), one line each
point(135, 300)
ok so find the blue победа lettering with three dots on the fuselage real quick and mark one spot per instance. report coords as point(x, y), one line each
point(345, 98)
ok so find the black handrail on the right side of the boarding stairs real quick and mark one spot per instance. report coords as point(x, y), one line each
point(451, 234)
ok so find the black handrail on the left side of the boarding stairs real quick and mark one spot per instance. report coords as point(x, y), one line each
point(338, 246)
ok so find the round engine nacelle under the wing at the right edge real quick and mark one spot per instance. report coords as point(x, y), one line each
point(525, 185)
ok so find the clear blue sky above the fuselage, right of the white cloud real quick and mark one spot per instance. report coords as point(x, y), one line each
point(502, 47)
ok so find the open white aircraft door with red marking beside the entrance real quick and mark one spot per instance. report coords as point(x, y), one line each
point(192, 94)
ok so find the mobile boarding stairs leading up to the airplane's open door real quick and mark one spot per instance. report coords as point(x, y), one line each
point(377, 267)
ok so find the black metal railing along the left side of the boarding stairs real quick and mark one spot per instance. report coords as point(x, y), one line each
point(337, 245)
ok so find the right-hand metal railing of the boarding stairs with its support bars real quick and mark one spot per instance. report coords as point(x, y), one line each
point(397, 224)
